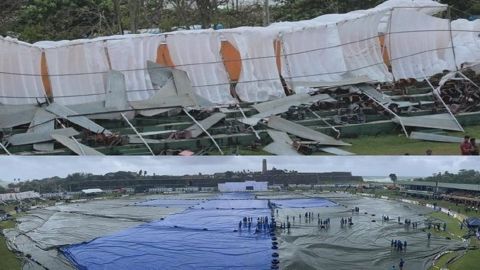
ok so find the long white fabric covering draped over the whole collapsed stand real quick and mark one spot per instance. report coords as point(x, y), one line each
point(330, 48)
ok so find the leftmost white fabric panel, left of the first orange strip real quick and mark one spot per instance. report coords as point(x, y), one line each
point(15, 59)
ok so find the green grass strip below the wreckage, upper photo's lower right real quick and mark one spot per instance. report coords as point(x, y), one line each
point(400, 145)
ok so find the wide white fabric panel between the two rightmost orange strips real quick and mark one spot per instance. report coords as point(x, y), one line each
point(346, 43)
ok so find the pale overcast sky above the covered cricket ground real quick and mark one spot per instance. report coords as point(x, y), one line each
point(27, 168)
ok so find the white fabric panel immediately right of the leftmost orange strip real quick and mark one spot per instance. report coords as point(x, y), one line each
point(77, 72)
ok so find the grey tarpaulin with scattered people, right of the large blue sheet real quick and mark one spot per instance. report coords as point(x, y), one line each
point(363, 245)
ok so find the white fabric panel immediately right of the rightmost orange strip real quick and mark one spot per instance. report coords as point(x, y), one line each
point(419, 45)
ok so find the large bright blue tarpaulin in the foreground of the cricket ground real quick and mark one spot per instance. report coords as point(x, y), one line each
point(194, 239)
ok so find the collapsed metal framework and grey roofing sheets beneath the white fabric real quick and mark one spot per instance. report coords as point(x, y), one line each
point(300, 123)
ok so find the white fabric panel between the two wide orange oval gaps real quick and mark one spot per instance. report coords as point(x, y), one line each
point(198, 53)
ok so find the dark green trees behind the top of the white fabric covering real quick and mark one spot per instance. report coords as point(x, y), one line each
point(34, 20)
